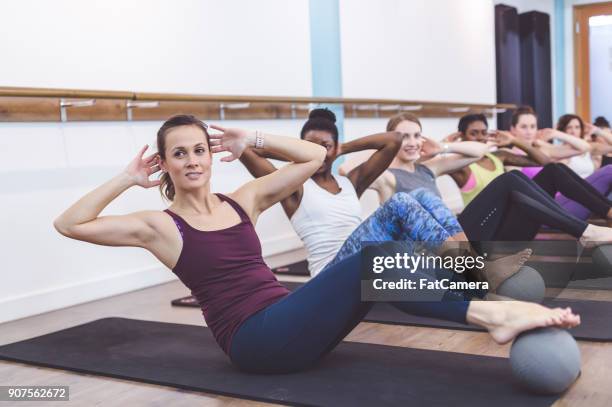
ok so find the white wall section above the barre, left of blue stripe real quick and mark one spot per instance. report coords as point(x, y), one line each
point(191, 46)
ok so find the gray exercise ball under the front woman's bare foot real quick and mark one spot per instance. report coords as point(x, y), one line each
point(545, 360)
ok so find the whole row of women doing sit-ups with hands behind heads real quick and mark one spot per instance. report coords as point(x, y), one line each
point(208, 239)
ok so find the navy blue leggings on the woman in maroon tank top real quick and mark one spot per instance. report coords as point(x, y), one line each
point(301, 328)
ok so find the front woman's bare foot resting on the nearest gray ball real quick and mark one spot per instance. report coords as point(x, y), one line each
point(506, 319)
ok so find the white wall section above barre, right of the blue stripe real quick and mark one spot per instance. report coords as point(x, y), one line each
point(439, 50)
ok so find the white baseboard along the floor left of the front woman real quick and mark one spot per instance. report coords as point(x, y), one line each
point(54, 298)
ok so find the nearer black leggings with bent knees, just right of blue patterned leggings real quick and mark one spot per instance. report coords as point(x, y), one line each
point(513, 208)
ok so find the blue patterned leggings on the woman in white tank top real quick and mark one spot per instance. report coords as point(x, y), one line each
point(418, 216)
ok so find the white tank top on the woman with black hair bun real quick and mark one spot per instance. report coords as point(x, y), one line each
point(324, 221)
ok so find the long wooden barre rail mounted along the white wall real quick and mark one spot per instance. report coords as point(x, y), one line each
point(34, 104)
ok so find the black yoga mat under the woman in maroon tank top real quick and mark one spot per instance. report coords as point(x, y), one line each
point(354, 374)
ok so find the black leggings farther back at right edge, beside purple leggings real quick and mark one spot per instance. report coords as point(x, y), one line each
point(556, 177)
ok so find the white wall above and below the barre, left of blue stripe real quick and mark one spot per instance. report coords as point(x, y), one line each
point(191, 46)
